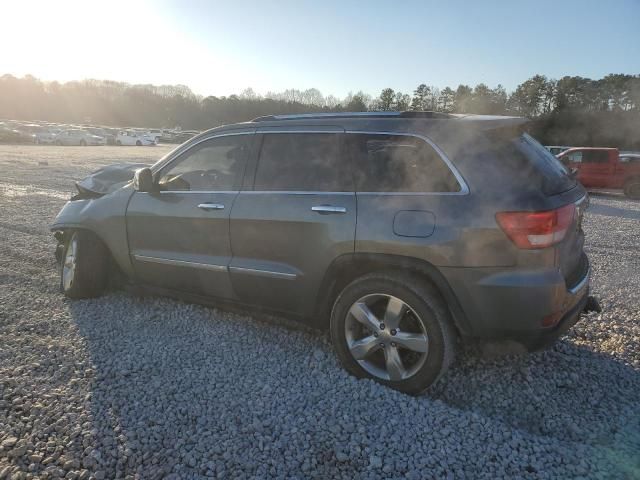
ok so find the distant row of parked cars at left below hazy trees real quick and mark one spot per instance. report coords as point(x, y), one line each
point(47, 133)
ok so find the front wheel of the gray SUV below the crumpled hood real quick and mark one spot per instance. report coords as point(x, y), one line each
point(84, 268)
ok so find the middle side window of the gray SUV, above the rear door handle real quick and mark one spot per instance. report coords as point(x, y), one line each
point(302, 161)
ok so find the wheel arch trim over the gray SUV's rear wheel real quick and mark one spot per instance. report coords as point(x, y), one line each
point(347, 268)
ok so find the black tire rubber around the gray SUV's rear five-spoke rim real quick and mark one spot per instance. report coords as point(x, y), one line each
point(427, 305)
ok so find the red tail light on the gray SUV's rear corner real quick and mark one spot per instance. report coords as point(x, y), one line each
point(537, 229)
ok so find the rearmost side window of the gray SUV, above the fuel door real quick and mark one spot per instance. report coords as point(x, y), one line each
point(398, 163)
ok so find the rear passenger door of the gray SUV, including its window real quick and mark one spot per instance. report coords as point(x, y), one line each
point(295, 218)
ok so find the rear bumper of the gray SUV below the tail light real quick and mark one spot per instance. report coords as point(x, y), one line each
point(510, 304)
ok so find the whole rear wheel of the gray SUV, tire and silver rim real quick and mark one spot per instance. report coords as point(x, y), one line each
point(395, 329)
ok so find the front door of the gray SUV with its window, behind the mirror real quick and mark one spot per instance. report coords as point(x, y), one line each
point(179, 235)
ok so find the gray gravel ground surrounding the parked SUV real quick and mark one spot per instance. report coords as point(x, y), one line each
point(130, 387)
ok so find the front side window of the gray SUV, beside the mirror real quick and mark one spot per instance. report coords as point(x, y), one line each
point(215, 164)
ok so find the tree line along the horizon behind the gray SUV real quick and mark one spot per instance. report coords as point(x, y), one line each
point(572, 110)
